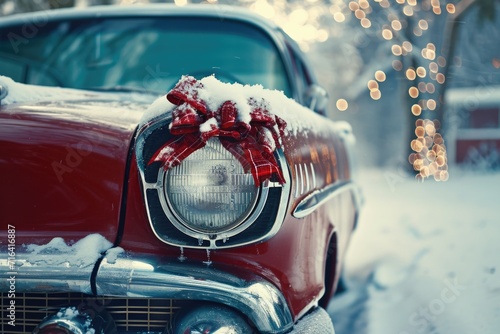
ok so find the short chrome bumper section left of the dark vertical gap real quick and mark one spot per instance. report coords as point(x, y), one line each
point(55, 275)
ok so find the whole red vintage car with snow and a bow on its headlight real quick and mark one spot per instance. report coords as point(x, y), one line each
point(160, 173)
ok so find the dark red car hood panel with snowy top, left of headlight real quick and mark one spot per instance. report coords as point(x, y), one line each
point(64, 162)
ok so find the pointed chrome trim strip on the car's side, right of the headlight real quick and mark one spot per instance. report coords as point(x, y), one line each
point(318, 197)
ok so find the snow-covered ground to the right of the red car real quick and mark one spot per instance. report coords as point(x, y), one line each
point(425, 257)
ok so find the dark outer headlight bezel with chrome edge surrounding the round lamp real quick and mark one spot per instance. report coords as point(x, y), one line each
point(262, 223)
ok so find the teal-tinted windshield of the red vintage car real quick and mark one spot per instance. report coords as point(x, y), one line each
point(140, 53)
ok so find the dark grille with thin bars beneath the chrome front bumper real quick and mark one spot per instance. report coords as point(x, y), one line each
point(130, 314)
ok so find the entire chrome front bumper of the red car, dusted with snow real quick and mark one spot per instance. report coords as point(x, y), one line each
point(145, 277)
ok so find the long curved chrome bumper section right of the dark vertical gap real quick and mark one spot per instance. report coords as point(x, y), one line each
point(255, 297)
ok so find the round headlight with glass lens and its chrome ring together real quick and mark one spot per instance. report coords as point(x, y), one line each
point(213, 203)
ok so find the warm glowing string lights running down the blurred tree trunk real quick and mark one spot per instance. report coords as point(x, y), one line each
point(429, 157)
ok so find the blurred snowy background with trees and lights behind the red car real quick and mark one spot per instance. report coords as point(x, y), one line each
point(419, 81)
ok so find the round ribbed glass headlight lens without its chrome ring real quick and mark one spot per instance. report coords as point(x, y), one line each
point(209, 192)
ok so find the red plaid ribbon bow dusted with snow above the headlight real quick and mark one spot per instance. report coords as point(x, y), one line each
point(253, 143)
